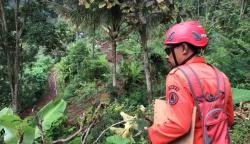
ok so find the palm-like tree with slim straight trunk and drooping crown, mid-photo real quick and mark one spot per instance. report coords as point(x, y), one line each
point(113, 24)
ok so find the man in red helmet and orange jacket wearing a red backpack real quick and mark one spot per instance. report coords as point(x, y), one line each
point(193, 82)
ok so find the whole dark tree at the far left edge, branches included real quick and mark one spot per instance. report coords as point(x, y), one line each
point(12, 47)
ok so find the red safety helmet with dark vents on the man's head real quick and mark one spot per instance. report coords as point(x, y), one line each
point(190, 32)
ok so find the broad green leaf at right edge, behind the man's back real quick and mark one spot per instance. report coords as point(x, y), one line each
point(240, 95)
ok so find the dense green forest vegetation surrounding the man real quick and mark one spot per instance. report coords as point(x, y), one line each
point(100, 98)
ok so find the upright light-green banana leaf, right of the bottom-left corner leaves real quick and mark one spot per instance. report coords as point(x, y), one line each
point(49, 114)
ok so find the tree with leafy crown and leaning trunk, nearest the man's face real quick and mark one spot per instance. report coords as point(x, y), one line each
point(144, 15)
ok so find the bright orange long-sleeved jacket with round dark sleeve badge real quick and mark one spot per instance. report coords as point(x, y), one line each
point(181, 103)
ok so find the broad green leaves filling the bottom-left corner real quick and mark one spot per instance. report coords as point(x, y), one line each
point(14, 126)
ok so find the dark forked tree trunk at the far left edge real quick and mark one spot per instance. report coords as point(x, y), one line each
point(13, 53)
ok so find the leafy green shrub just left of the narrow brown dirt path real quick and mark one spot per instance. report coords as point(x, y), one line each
point(34, 80)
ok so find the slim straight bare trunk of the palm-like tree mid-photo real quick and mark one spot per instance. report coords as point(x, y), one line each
point(114, 63)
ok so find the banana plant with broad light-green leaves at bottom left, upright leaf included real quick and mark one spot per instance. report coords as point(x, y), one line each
point(17, 130)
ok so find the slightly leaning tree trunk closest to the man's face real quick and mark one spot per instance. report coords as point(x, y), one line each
point(143, 35)
